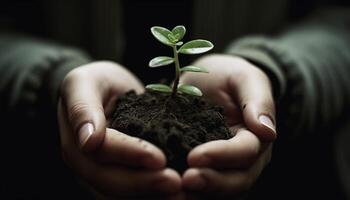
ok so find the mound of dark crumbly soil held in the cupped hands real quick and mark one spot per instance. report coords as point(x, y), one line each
point(174, 124)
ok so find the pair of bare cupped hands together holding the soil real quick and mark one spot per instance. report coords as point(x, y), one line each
point(116, 165)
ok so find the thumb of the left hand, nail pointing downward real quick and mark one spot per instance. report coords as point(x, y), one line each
point(85, 113)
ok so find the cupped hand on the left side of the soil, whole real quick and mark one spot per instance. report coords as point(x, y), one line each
point(113, 163)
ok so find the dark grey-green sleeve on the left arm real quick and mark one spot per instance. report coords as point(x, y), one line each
point(31, 71)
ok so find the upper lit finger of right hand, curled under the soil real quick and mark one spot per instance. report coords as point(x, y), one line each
point(238, 152)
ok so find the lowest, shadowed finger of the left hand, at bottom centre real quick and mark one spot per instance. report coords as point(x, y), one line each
point(124, 182)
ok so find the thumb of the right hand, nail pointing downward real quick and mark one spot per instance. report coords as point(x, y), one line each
point(256, 101)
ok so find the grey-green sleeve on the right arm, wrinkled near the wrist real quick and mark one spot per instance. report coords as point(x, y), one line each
point(309, 66)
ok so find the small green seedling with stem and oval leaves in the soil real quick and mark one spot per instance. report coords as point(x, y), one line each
point(173, 39)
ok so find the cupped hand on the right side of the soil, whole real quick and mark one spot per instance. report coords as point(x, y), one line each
point(230, 167)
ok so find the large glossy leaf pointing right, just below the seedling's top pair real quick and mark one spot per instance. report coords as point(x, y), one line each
point(196, 47)
